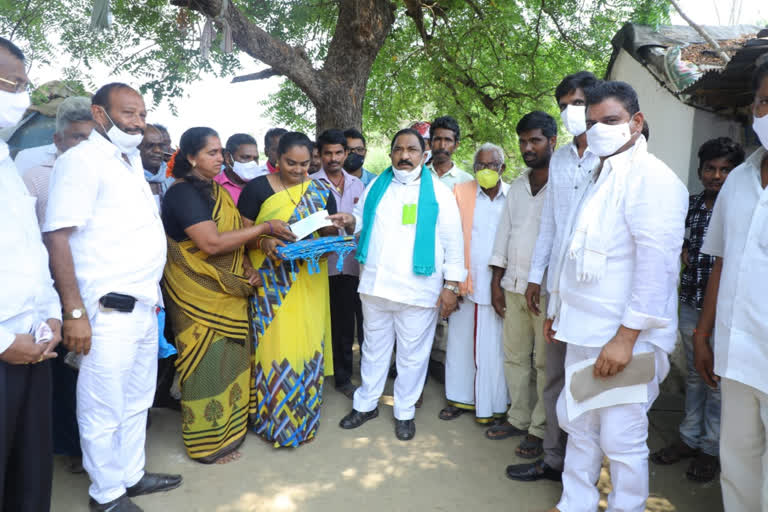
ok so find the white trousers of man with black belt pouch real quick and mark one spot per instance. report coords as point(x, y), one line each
point(115, 389)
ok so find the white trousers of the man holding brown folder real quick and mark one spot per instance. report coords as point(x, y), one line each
point(619, 432)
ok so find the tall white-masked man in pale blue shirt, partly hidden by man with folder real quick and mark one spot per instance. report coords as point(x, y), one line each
point(569, 168)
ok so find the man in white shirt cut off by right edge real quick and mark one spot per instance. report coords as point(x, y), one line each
point(734, 305)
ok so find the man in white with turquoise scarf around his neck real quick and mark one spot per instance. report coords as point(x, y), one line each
point(412, 257)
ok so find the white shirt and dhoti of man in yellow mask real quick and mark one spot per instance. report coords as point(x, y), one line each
point(474, 370)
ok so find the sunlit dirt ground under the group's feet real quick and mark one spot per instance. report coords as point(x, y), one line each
point(448, 466)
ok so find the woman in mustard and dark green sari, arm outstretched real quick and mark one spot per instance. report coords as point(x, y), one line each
point(208, 281)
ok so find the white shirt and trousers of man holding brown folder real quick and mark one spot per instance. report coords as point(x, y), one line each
point(638, 290)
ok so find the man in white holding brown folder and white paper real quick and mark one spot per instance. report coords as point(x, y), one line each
point(618, 277)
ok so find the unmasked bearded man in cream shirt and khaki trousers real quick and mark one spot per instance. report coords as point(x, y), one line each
point(515, 240)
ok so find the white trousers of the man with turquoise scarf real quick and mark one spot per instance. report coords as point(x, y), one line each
point(415, 330)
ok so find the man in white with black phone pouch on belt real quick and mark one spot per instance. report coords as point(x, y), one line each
point(108, 249)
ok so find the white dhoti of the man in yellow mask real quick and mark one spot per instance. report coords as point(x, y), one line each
point(474, 363)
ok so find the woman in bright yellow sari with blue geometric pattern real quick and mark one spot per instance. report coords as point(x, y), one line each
point(291, 309)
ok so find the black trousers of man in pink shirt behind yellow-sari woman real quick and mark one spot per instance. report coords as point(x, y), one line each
point(343, 295)
